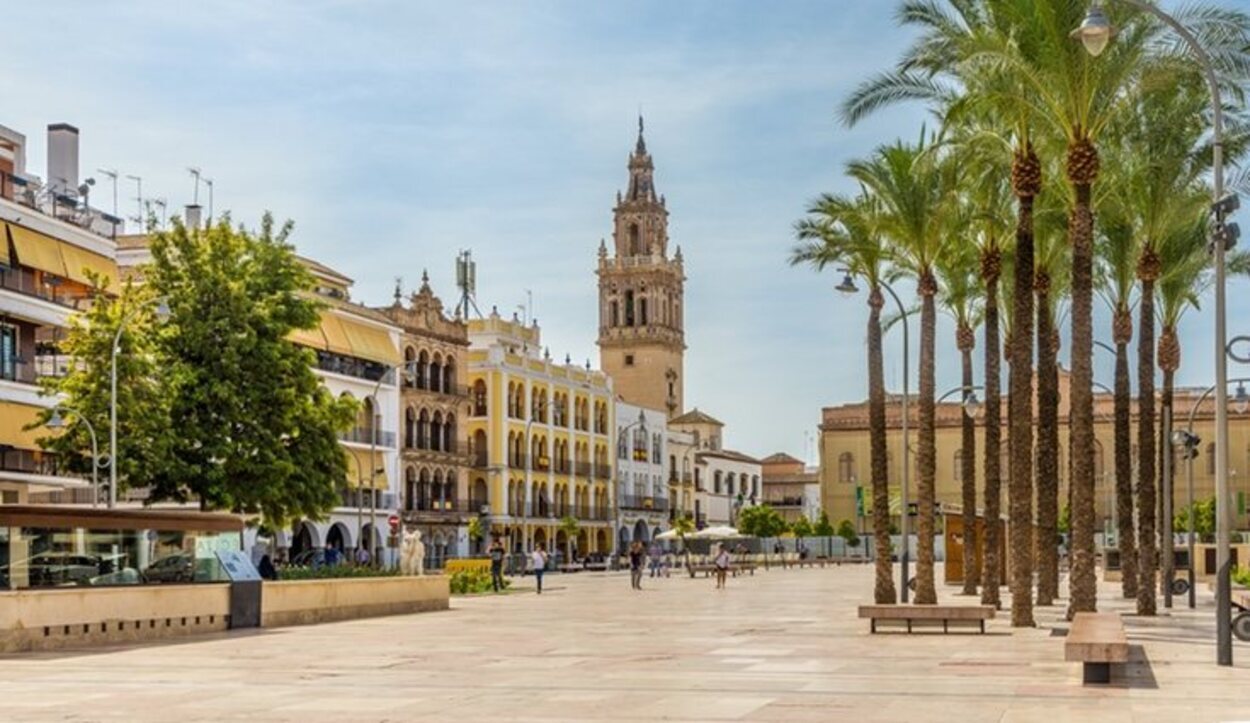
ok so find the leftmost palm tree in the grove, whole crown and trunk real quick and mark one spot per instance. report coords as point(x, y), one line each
point(844, 231)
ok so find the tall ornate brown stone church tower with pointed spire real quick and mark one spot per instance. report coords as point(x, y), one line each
point(642, 342)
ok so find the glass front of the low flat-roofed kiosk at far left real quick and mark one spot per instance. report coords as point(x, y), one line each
point(42, 556)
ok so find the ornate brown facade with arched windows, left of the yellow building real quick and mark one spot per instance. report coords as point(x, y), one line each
point(434, 402)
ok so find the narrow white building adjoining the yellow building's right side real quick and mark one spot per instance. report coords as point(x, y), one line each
point(643, 498)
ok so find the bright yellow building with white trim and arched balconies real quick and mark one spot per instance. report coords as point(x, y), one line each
point(541, 437)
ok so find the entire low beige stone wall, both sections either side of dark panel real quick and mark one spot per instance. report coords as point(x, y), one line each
point(52, 620)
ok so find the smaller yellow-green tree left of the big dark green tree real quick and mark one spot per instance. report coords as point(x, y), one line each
point(144, 433)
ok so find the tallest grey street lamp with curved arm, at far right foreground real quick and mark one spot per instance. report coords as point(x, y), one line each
point(1096, 33)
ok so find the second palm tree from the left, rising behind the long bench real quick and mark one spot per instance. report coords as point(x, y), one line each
point(914, 188)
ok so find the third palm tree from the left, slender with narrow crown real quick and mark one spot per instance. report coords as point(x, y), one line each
point(961, 292)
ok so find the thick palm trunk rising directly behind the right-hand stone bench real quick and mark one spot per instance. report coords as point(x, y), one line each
point(1082, 172)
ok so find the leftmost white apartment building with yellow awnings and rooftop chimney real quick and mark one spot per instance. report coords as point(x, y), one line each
point(51, 240)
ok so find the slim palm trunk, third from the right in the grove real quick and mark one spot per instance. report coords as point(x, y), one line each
point(1127, 538)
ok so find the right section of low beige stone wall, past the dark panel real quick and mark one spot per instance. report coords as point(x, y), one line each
point(304, 602)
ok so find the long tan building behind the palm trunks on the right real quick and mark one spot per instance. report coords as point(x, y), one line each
point(846, 456)
